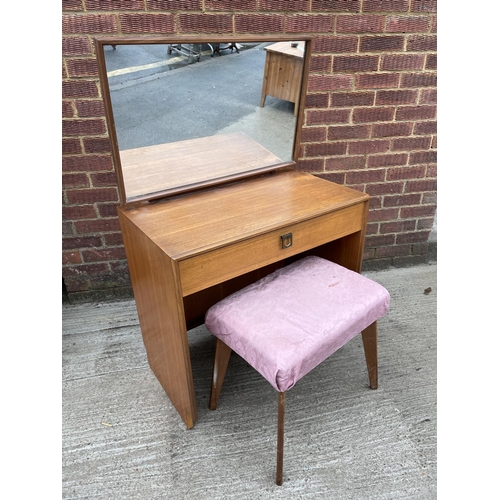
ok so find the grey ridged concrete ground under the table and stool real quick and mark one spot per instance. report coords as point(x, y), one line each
point(122, 438)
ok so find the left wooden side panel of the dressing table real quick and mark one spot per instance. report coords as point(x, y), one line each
point(161, 316)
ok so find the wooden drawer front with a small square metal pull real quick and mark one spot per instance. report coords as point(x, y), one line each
point(210, 268)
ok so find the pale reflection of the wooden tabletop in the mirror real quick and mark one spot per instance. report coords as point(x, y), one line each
point(163, 167)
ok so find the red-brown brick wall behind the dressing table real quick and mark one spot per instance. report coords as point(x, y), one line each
point(370, 119)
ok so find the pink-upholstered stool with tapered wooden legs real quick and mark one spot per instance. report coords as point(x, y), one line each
point(288, 322)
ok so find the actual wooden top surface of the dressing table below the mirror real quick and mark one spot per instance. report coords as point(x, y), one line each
point(194, 223)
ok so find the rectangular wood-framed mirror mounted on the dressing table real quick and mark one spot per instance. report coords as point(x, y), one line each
point(187, 113)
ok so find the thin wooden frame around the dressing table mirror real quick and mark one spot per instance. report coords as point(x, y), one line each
point(100, 42)
